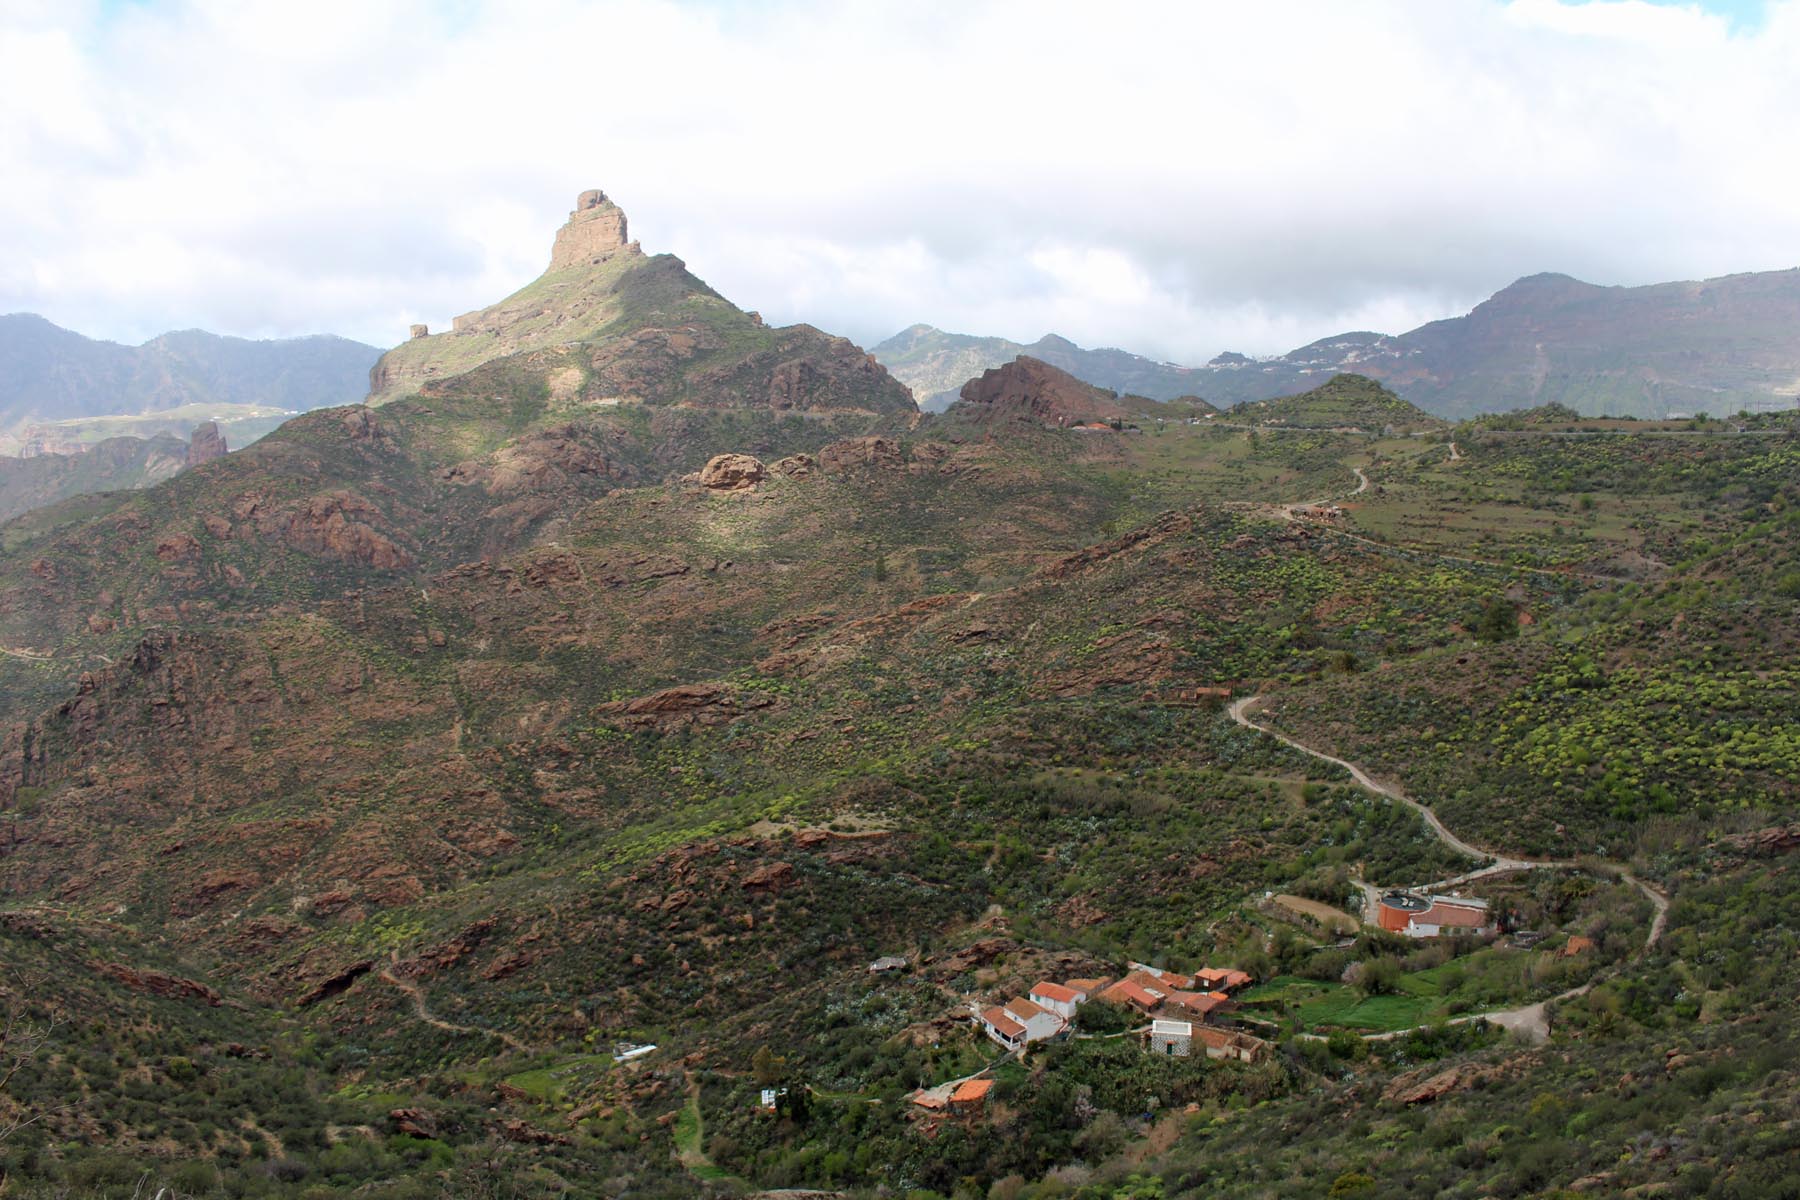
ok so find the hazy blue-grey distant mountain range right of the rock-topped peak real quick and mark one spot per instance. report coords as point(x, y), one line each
point(1716, 345)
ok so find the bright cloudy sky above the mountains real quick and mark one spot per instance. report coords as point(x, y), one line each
point(1176, 179)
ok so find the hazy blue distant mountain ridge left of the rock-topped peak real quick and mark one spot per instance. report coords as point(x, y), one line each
point(49, 373)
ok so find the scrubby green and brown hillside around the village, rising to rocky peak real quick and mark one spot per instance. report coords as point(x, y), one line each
point(364, 793)
